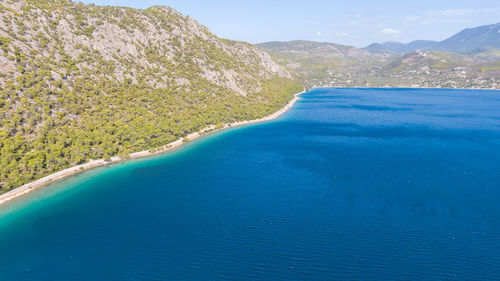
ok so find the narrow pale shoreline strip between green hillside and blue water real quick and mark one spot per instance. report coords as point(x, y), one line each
point(22, 190)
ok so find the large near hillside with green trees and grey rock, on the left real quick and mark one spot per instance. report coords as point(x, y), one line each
point(81, 82)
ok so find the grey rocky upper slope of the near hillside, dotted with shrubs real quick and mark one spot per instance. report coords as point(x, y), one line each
point(157, 39)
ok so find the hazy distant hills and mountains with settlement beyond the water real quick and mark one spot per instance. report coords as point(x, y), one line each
point(469, 59)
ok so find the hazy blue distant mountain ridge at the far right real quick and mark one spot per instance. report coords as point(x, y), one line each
point(465, 42)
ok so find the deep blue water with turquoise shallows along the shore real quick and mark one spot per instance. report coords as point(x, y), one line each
point(350, 184)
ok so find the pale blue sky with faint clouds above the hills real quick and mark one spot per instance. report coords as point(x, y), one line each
point(353, 22)
